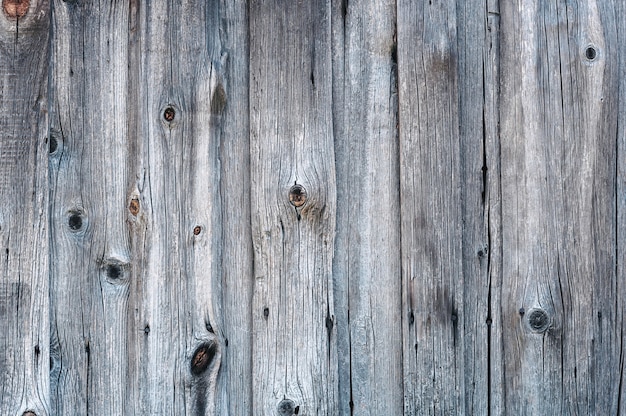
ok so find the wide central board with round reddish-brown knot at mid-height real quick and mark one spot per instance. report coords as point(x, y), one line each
point(291, 144)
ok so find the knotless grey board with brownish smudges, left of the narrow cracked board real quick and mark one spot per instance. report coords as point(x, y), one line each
point(431, 207)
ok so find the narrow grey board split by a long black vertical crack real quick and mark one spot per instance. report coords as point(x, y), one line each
point(477, 37)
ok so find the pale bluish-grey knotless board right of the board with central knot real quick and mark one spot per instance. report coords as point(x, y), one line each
point(366, 268)
